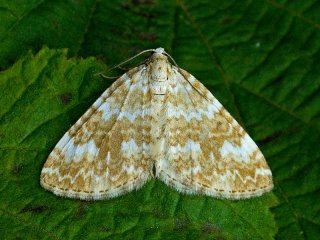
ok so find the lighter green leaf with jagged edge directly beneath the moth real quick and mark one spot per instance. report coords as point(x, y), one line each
point(44, 95)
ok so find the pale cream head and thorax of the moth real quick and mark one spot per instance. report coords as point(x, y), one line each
point(159, 70)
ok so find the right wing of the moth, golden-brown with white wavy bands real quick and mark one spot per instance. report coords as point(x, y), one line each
point(208, 152)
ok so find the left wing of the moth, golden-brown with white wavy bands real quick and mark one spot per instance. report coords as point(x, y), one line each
point(105, 154)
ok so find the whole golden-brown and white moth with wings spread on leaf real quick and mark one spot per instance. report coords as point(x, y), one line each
point(156, 121)
